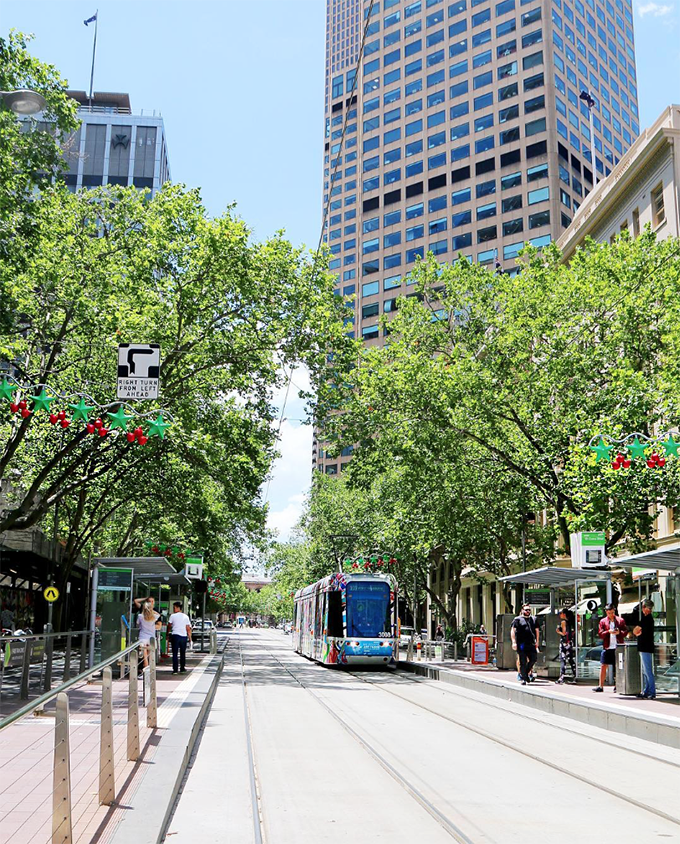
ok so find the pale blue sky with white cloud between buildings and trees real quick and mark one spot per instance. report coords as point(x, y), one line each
point(240, 87)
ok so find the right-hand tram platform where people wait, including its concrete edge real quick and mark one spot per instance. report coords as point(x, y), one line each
point(654, 720)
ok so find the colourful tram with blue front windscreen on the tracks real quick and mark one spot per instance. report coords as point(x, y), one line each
point(348, 619)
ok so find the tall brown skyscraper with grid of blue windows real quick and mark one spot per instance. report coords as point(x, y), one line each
point(468, 133)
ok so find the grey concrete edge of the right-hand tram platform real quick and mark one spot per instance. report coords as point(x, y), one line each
point(640, 726)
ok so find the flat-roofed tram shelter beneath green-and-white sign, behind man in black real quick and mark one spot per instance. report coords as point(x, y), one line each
point(556, 580)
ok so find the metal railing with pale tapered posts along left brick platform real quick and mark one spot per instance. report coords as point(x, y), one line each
point(127, 707)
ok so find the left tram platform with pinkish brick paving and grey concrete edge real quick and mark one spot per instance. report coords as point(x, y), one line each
point(27, 747)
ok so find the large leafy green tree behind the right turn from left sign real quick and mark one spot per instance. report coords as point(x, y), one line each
point(110, 266)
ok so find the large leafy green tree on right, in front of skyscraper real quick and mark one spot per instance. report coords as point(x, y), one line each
point(523, 370)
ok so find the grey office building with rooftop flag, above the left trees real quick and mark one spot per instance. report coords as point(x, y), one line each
point(114, 146)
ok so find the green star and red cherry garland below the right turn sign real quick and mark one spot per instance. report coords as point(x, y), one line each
point(137, 426)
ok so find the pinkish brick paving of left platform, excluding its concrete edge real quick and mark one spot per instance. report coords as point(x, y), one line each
point(27, 748)
